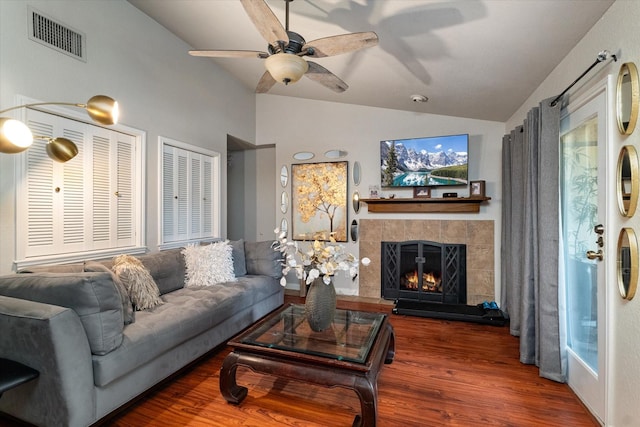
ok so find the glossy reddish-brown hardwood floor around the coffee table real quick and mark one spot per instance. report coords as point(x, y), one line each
point(445, 373)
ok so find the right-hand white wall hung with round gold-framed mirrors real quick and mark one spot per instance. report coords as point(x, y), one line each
point(619, 32)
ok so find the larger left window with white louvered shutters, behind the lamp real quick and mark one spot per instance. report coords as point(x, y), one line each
point(90, 206)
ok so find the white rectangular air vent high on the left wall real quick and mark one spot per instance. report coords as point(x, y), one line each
point(46, 31)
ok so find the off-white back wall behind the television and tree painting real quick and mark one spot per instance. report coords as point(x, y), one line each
point(295, 124)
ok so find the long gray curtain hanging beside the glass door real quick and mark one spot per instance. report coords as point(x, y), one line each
point(530, 236)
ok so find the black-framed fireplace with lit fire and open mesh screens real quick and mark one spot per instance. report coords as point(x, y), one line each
point(424, 271)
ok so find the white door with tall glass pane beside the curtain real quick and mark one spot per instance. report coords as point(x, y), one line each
point(583, 233)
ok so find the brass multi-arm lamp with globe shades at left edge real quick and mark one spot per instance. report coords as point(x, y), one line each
point(16, 137)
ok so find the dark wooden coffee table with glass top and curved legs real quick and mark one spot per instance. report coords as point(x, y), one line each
point(349, 354)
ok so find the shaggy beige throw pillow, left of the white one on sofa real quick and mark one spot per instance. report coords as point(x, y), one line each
point(142, 289)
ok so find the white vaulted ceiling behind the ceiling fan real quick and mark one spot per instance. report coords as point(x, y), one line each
point(472, 58)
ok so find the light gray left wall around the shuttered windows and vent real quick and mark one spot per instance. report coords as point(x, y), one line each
point(160, 88)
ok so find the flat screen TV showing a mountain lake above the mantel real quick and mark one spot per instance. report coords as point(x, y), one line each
point(424, 162)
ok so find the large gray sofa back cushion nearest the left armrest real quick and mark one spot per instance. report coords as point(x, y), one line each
point(93, 296)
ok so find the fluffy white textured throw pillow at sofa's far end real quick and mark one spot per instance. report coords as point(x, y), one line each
point(208, 264)
